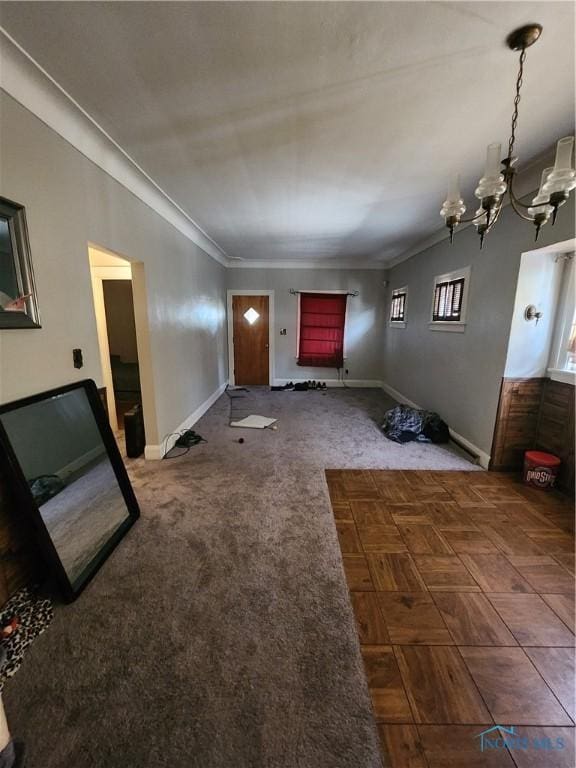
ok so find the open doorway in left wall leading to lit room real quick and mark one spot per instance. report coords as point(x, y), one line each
point(120, 306)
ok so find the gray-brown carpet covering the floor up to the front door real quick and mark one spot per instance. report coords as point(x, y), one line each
point(220, 631)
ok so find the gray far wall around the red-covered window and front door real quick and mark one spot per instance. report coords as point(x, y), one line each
point(364, 316)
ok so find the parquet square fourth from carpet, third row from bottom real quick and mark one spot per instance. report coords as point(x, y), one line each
point(531, 621)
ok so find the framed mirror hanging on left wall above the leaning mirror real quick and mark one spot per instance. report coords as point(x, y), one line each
point(18, 301)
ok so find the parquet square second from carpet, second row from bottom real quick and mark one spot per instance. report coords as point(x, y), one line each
point(439, 687)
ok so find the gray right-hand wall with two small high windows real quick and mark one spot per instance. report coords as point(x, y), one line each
point(459, 374)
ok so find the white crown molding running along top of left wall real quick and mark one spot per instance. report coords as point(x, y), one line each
point(28, 83)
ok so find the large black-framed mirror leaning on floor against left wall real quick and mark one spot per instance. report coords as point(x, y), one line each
point(69, 477)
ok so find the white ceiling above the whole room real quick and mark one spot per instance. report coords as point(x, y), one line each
point(307, 130)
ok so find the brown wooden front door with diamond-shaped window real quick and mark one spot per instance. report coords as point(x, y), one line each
point(251, 353)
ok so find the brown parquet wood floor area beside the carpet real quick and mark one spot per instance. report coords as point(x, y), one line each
point(462, 585)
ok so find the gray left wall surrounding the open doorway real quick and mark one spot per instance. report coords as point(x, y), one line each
point(69, 202)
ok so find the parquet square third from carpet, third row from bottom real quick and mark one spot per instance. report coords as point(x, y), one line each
point(472, 620)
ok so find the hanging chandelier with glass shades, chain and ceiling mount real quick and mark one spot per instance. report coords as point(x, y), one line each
point(498, 180)
